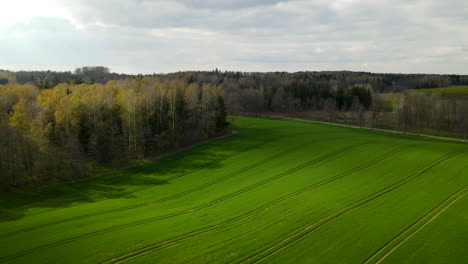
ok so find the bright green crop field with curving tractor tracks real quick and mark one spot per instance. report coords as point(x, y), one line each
point(278, 191)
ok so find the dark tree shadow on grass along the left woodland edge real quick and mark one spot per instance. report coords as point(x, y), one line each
point(129, 182)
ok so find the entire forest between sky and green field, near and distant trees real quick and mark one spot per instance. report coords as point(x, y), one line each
point(61, 125)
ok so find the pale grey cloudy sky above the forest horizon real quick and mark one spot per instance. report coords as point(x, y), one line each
point(146, 36)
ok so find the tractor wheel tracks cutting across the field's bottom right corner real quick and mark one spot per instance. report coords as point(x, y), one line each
point(401, 238)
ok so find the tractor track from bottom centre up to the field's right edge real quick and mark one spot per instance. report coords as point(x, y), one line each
point(303, 232)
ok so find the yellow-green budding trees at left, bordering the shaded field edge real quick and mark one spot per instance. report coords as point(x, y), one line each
point(57, 133)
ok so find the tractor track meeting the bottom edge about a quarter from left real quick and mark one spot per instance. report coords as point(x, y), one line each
point(250, 214)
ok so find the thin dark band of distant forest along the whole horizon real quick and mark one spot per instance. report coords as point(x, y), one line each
point(381, 82)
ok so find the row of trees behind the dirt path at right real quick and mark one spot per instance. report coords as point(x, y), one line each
point(359, 105)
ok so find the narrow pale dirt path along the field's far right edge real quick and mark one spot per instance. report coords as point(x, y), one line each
point(352, 126)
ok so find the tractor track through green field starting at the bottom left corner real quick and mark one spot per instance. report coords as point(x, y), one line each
point(187, 211)
